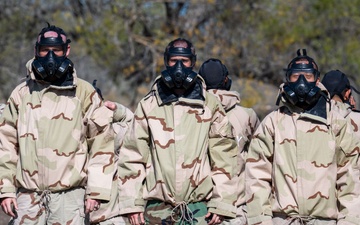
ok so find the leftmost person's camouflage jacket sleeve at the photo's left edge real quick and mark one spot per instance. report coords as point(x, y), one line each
point(8, 148)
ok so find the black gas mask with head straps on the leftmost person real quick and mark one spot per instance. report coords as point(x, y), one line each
point(51, 67)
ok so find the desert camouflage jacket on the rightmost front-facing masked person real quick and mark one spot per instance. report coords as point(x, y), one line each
point(303, 163)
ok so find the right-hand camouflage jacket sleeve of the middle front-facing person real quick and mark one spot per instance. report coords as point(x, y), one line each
point(223, 159)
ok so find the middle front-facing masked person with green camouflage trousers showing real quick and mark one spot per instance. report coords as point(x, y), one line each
point(179, 158)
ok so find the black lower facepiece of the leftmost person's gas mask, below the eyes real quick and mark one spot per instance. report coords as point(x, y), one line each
point(51, 67)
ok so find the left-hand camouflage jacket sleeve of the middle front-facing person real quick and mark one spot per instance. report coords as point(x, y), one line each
point(132, 161)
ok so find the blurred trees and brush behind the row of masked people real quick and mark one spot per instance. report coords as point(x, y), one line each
point(121, 42)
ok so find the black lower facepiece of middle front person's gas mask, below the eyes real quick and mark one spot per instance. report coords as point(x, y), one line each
point(178, 76)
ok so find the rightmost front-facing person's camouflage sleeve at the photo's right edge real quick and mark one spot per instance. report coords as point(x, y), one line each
point(348, 187)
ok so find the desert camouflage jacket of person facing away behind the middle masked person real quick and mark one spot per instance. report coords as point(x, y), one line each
point(244, 122)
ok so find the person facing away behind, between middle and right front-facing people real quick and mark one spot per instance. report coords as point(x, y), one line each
point(243, 120)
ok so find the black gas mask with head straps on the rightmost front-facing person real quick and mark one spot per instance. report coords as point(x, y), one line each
point(302, 92)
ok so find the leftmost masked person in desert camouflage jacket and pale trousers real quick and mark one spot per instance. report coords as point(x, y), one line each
point(55, 154)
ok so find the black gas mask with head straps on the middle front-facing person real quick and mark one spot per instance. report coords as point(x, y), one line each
point(178, 75)
